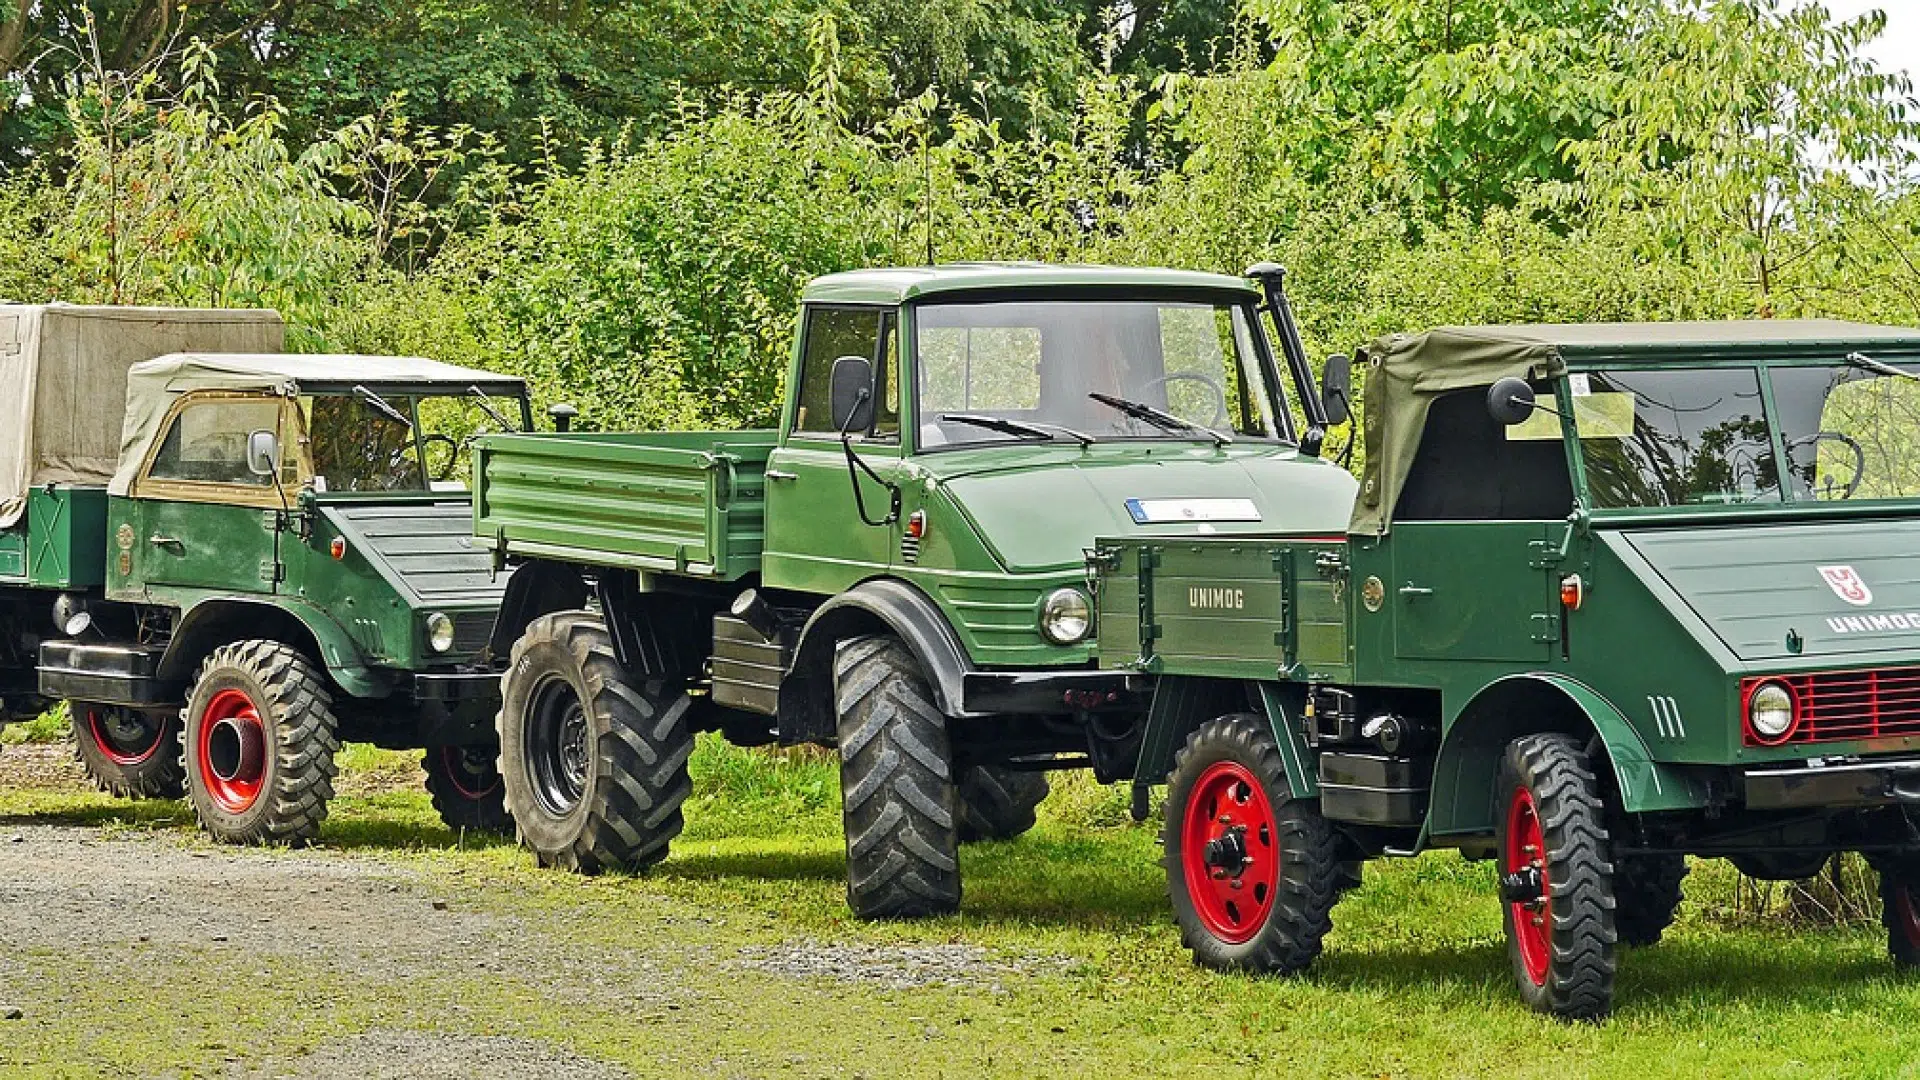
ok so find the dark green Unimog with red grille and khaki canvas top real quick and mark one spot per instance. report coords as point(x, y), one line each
point(1608, 597)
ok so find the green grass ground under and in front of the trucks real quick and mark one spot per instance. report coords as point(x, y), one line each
point(1088, 977)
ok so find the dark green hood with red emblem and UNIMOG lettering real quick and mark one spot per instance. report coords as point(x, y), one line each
point(1835, 587)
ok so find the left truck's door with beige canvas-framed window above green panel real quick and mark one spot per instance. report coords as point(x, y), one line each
point(201, 518)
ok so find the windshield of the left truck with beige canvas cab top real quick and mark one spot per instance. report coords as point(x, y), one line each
point(398, 443)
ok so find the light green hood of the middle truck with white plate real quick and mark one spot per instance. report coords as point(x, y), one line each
point(1045, 514)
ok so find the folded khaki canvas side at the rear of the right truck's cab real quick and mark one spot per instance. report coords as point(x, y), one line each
point(1404, 376)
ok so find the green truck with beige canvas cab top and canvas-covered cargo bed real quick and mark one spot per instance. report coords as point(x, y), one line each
point(228, 560)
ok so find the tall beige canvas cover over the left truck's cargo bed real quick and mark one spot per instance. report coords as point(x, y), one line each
point(62, 378)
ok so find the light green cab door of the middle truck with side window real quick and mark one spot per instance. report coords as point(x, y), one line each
point(815, 533)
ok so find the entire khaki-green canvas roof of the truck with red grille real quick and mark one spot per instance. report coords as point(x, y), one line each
point(1408, 372)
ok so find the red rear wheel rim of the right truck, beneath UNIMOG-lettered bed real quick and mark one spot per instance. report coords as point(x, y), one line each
point(1230, 850)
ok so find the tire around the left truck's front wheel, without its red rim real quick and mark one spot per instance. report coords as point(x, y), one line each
point(304, 741)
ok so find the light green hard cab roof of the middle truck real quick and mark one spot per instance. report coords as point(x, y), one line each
point(898, 285)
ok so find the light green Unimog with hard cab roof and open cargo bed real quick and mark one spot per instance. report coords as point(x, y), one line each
point(900, 570)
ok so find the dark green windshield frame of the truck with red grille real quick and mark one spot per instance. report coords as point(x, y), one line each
point(1764, 364)
